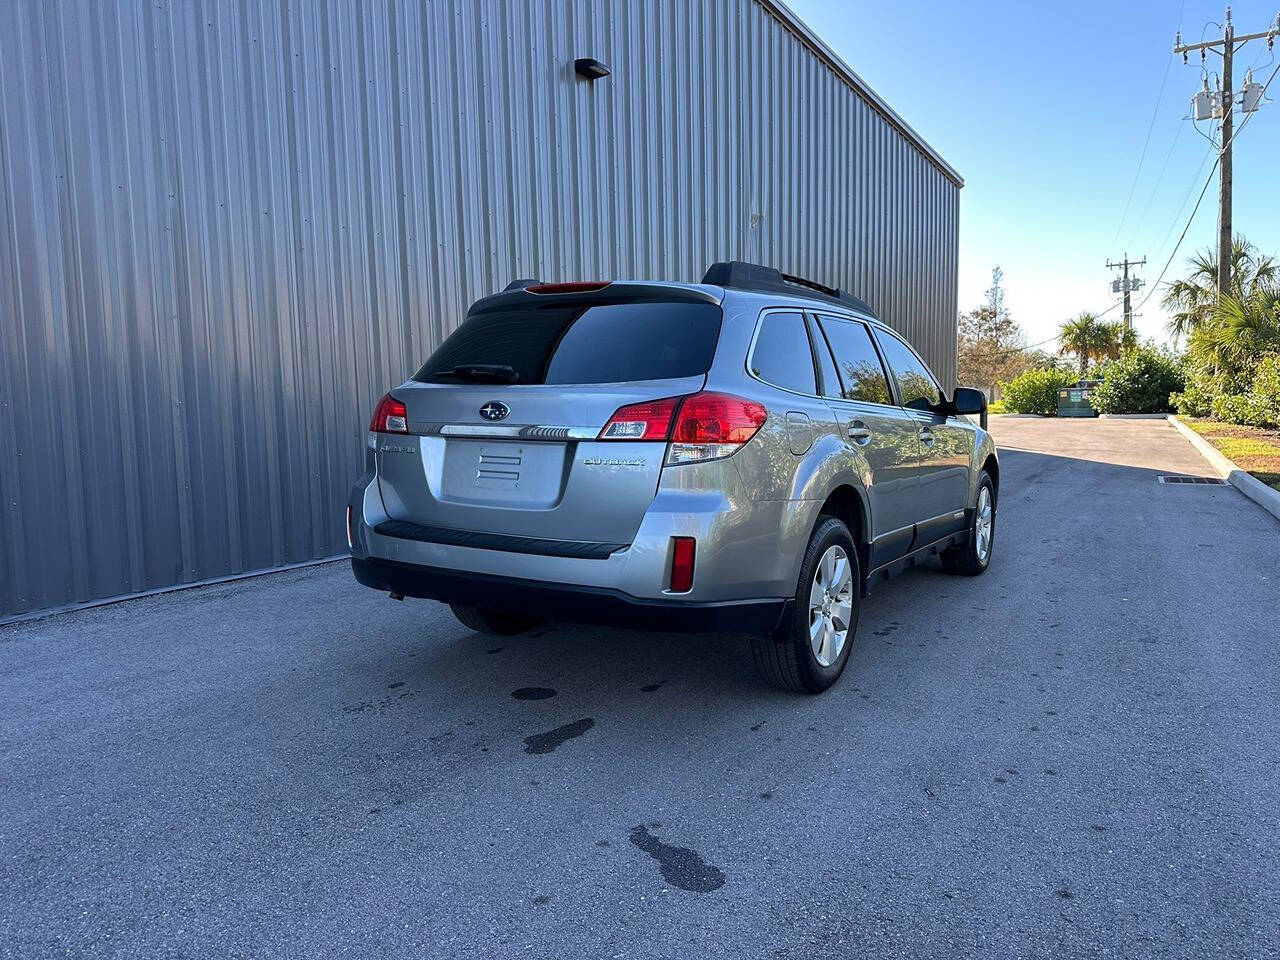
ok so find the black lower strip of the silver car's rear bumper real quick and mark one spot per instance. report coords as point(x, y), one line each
point(578, 605)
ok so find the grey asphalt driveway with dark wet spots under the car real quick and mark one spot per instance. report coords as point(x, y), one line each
point(1073, 756)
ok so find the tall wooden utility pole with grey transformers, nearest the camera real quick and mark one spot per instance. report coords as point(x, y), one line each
point(1220, 106)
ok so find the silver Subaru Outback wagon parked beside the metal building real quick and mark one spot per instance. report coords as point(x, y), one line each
point(748, 454)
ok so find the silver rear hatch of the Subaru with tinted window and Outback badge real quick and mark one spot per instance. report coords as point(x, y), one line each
point(509, 412)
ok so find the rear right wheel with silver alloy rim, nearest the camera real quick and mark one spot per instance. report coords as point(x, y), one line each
point(810, 652)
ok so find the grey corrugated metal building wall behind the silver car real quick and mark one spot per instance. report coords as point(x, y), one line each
point(227, 228)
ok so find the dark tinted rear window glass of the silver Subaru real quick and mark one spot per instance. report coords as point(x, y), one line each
point(577, 344)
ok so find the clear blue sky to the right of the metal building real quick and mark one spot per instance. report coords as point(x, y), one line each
point(1044, 109)
